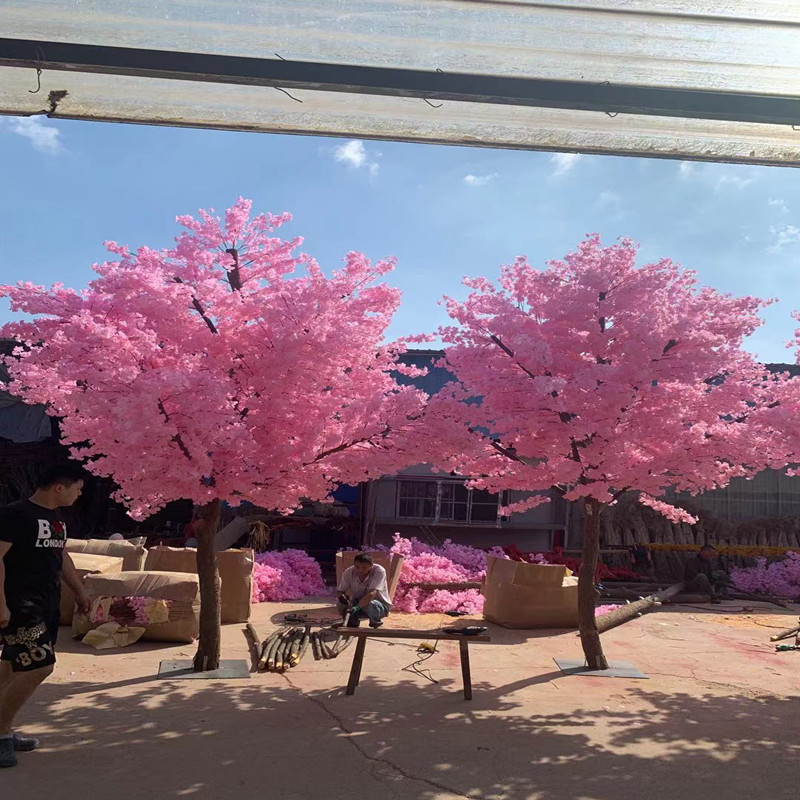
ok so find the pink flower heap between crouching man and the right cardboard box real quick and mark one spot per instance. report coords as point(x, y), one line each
point(448, 563)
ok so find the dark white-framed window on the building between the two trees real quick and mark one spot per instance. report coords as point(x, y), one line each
point(446, 501)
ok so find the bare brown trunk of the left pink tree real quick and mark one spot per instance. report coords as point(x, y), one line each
point(208, 648)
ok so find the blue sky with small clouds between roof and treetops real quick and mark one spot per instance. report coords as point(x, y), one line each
point(445, 212)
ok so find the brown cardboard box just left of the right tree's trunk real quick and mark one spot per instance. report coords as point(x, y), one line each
point(520, 595)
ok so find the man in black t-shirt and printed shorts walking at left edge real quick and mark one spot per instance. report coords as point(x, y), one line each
point(32, 564)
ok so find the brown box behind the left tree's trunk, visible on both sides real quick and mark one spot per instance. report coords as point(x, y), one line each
point(235, 570)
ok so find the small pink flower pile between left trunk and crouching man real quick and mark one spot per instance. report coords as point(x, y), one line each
point(288, 575)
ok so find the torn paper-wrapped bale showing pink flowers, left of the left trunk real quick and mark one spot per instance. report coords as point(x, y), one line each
point(165, 604)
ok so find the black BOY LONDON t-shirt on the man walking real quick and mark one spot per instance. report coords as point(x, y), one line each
point(33, 564)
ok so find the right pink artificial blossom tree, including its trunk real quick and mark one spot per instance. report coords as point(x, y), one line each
point(595, 377)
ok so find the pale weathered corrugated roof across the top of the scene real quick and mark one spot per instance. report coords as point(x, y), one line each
point(741, 57)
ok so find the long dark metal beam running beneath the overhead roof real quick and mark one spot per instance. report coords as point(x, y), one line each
point(392, 82)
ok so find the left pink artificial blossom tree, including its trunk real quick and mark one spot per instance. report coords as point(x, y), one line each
point(225, 368)
